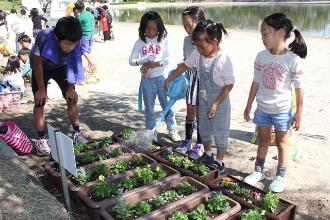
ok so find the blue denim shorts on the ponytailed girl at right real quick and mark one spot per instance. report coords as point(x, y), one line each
point(281, 121)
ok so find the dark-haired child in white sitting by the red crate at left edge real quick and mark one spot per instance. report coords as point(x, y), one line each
point(13, 76)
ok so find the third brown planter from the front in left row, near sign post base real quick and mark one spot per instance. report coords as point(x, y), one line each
point(93, 207)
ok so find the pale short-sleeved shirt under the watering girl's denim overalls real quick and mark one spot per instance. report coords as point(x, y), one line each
point(223, 73)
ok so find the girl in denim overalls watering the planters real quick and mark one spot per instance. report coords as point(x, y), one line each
point(215, 71)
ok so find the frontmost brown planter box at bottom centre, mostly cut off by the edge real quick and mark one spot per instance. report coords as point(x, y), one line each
point(192, 204)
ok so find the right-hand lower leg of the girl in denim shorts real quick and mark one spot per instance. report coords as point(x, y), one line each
point(283, 152)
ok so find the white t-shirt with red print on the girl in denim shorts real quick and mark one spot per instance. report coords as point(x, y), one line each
point(275, 74)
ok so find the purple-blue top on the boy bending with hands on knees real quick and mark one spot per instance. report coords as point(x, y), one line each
point(47, 47)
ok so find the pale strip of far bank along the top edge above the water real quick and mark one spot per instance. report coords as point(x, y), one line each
point(232, 3)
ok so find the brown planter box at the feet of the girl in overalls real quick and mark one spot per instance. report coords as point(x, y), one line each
point(213, 174)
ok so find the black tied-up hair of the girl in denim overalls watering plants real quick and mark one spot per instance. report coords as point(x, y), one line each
point(208, 29)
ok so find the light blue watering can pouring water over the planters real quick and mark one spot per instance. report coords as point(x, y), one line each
point(177, 90)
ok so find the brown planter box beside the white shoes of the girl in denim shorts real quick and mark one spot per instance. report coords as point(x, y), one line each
point(287, 209)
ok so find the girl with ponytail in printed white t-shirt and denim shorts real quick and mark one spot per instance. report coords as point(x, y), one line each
point(274, 70)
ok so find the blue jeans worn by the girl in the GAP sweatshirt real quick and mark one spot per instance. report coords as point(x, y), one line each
point(151, 88)
